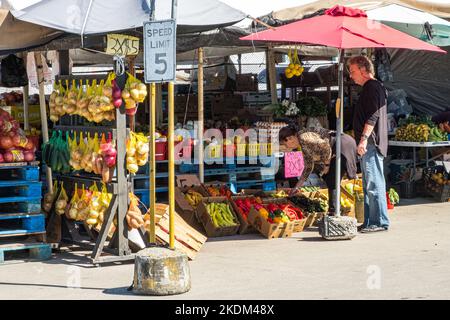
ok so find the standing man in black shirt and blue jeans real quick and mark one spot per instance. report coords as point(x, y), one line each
point(370, 127)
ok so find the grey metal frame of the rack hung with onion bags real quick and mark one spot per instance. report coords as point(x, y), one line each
point(118, 248)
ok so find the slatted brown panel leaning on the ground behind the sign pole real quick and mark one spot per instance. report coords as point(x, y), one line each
point(187, 239)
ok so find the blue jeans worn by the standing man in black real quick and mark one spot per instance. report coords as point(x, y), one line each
point(374, 186)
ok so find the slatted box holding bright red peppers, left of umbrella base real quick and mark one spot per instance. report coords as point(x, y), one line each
point(270, 230)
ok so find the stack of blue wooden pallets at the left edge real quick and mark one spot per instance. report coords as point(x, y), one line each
point(20, 211)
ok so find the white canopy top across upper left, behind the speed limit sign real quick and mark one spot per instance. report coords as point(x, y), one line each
point(45, 20)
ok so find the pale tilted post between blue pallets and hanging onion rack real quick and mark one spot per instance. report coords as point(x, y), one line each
point(43, 110)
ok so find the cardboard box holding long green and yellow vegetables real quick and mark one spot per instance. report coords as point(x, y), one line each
point(205, 218)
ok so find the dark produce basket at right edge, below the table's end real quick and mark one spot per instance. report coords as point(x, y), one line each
point(437, 182)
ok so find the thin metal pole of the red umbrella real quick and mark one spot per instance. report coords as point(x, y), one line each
point(339, 113)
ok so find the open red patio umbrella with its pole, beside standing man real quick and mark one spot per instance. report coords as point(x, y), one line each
point(343, 28)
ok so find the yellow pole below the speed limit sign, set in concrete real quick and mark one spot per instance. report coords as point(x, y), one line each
point(152, 163)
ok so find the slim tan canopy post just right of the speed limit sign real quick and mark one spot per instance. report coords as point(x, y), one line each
point(201, 165)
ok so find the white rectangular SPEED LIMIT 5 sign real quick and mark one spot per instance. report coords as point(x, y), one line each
point(160, 51)
